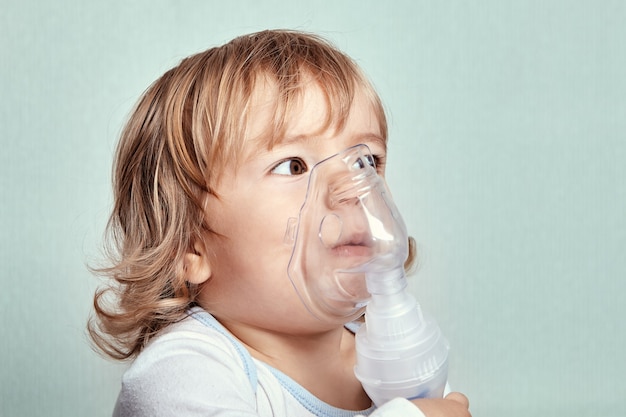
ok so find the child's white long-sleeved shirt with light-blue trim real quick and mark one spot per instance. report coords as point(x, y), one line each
point(197, 368)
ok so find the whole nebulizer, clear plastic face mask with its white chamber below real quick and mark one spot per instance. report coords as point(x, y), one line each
point(350, 244)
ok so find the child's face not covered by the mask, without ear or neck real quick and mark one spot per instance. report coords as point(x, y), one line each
point(248, 254)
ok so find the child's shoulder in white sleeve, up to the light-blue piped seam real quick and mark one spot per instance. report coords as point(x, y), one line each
point(190, 366)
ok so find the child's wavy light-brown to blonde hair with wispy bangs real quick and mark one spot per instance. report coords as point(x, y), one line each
point(183, 131)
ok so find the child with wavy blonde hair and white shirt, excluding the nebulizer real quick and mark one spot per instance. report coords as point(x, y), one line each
point(212, 163)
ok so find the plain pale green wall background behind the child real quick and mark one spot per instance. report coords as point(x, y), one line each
point(507, 159)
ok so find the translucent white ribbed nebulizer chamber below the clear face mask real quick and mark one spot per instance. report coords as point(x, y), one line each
point(400, 351)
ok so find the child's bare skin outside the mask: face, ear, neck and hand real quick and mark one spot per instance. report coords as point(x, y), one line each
point(242, 267)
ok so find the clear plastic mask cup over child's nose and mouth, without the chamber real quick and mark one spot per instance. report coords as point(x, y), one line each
point(348, 229)
